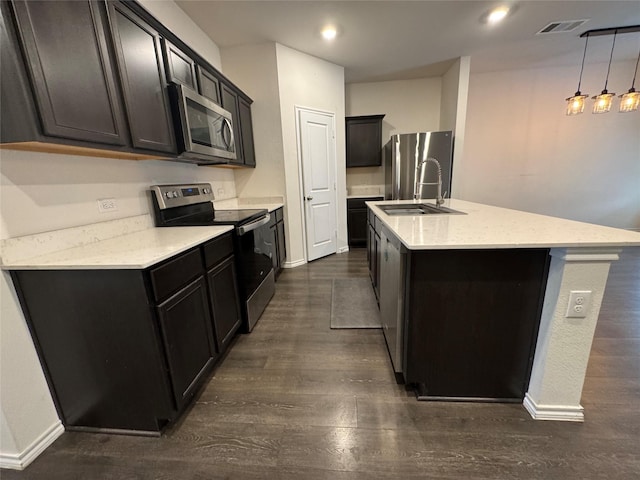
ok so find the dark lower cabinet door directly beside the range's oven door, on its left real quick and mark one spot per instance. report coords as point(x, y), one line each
point(225, 301)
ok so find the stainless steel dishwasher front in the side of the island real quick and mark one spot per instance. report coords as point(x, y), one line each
point(392, 268)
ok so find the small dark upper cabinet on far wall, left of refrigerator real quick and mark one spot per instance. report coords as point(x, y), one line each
point(364, 141)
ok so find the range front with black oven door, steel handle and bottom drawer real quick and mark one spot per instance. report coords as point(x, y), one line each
point(257, 278)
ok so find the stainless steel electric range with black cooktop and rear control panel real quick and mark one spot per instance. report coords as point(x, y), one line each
point(191, 205)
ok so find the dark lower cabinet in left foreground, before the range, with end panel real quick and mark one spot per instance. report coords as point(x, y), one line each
point(126, 350)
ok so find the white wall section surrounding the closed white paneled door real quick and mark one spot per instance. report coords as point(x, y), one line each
point(306, 81)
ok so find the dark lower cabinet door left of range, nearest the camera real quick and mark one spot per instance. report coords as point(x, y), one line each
point(185, 324)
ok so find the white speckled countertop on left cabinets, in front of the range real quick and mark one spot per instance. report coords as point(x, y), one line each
point(136, 250)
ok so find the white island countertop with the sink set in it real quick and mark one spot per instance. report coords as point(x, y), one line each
point(485, 226)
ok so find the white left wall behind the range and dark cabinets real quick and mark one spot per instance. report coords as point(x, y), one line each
point(41, 192)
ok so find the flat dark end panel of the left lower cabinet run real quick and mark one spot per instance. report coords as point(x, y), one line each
point(105, 370)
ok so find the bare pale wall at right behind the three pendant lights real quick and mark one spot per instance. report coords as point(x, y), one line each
point(523, 152)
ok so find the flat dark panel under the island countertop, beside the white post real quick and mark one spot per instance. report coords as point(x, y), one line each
point(472, 319)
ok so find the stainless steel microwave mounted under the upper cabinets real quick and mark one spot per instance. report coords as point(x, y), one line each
point(204, 130)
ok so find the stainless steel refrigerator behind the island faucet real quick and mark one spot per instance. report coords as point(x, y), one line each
point(404, 152)
